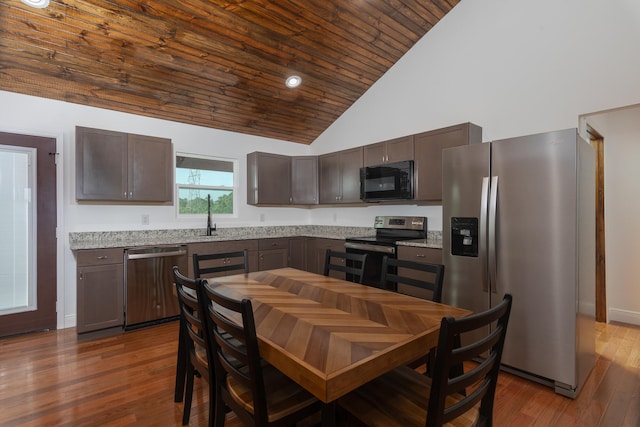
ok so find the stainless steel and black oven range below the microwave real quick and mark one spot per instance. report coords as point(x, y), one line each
point(389, 230)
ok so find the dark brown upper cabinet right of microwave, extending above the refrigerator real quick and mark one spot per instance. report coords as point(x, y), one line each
point(428, 148)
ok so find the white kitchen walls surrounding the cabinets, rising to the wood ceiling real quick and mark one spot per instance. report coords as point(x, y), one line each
point(513, 67)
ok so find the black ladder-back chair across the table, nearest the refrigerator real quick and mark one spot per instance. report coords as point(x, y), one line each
point(414, 278)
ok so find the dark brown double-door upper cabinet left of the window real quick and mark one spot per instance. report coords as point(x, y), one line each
point(120, 167)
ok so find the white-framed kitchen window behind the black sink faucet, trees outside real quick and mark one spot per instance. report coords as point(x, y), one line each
point(200, 176)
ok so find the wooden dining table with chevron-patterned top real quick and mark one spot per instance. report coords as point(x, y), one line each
point(332, 336)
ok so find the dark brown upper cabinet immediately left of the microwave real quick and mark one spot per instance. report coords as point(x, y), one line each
point(340, 176)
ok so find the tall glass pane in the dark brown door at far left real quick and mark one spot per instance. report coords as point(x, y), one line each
point(17, 230)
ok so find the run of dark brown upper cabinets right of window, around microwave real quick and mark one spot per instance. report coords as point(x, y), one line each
point(334, 178)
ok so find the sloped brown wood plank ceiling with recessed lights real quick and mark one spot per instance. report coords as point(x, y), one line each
point(219, 64)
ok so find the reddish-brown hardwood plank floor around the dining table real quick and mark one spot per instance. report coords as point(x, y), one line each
point(54, 379)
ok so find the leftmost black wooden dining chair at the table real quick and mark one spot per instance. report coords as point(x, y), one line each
point(191, 345)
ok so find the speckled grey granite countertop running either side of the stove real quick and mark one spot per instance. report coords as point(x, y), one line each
point(134, 238)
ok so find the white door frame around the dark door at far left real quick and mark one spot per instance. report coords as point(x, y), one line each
point(62, 320)
